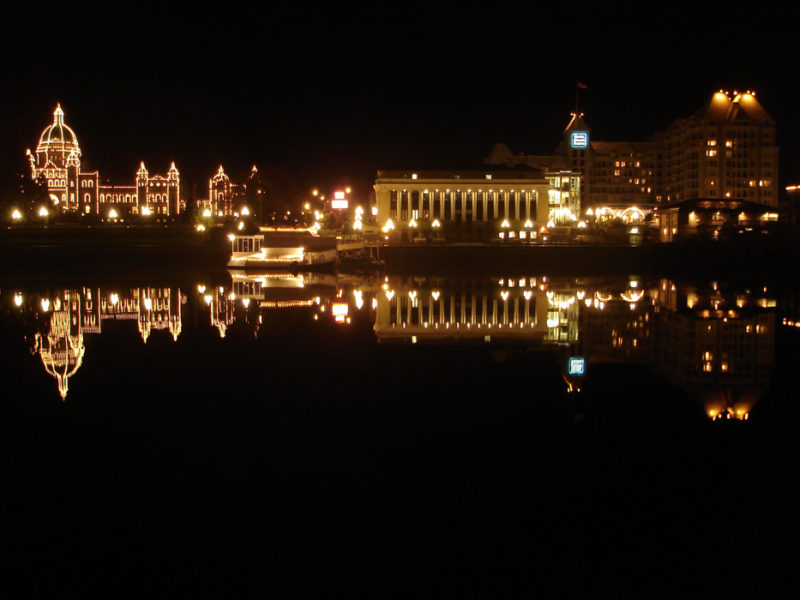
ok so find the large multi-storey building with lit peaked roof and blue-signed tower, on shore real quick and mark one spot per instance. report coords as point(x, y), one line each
point(726, 150)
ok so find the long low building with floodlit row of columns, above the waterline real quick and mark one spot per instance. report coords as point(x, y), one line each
point(477, 198)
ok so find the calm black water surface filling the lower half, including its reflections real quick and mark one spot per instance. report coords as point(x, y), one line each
point(397, 433)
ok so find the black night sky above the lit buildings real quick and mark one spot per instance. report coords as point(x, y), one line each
point(328, 95)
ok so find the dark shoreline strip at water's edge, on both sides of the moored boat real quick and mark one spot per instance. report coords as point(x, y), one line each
point(109, 249)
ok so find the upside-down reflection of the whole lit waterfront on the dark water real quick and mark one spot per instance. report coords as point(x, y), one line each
point(714, 340)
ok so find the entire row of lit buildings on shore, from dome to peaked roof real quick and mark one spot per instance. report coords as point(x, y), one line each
point(724, 152)
